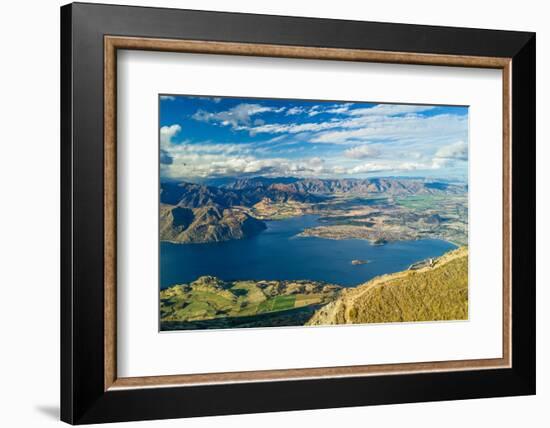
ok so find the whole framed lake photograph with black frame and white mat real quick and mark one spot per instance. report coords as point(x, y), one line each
point(267, 213)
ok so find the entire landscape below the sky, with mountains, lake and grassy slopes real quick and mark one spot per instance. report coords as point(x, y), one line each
point(265, 252)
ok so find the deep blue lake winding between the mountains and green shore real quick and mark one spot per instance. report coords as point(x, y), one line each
point(277, 253)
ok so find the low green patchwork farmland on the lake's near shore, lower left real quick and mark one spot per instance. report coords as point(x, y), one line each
point(210, 302)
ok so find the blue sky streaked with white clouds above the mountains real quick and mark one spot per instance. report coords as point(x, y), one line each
point(215, 137)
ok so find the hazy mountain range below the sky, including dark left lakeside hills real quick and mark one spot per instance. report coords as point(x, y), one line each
point(198, 213)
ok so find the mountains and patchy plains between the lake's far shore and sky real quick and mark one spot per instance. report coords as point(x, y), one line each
point(377, 210)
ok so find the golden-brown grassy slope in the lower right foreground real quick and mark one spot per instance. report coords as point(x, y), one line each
point(433, 293)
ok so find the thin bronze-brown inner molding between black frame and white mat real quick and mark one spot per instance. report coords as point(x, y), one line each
point(114, 43)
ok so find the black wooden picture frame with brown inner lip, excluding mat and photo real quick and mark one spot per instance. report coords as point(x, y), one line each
point(91, 390)
